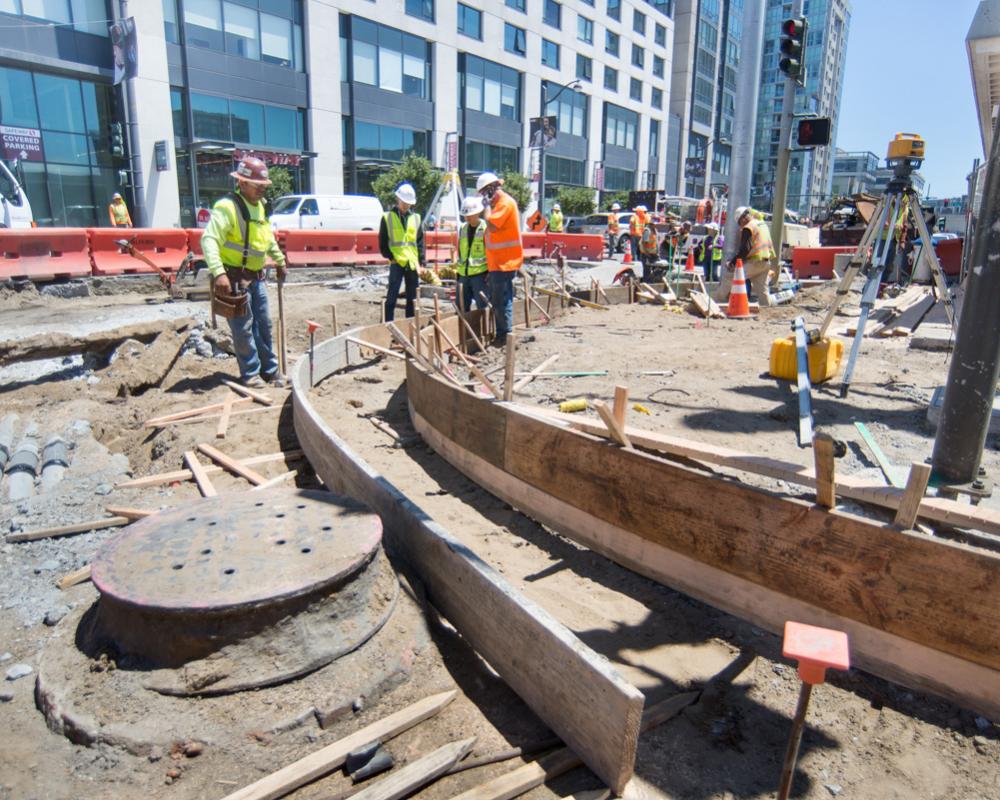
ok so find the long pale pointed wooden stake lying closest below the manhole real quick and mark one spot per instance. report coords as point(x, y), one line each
point(329, 758)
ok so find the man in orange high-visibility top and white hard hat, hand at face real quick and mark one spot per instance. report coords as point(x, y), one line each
point(504, 251)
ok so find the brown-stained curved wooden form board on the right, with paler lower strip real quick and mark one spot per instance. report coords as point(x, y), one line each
point(762, 557)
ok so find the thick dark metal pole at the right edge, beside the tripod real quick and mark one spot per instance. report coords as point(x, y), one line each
point(975, 363)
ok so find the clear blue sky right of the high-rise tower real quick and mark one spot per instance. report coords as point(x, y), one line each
point(908, 71)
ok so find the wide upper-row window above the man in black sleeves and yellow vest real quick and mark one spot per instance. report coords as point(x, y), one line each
point(389, 59)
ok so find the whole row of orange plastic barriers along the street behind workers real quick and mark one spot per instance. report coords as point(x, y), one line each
point(45, 254)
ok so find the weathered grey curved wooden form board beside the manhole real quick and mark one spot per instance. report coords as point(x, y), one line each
point(576, 692)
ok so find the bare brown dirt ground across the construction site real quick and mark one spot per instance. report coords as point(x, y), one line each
point(865, 738)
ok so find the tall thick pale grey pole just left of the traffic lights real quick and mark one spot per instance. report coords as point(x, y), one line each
point(744, 121)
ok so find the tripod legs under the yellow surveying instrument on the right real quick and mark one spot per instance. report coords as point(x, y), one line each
point(878, 245)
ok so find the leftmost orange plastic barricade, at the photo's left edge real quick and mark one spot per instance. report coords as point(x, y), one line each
point(43, 254)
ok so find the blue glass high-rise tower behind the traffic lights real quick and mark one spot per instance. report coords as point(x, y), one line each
point(810, 173)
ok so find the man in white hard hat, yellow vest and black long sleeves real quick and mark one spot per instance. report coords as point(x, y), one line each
point(401, 241)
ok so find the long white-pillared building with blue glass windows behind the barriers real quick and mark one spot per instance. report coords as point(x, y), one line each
point(335, 91)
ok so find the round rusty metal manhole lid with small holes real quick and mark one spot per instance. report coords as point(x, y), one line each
point(223, 553)
